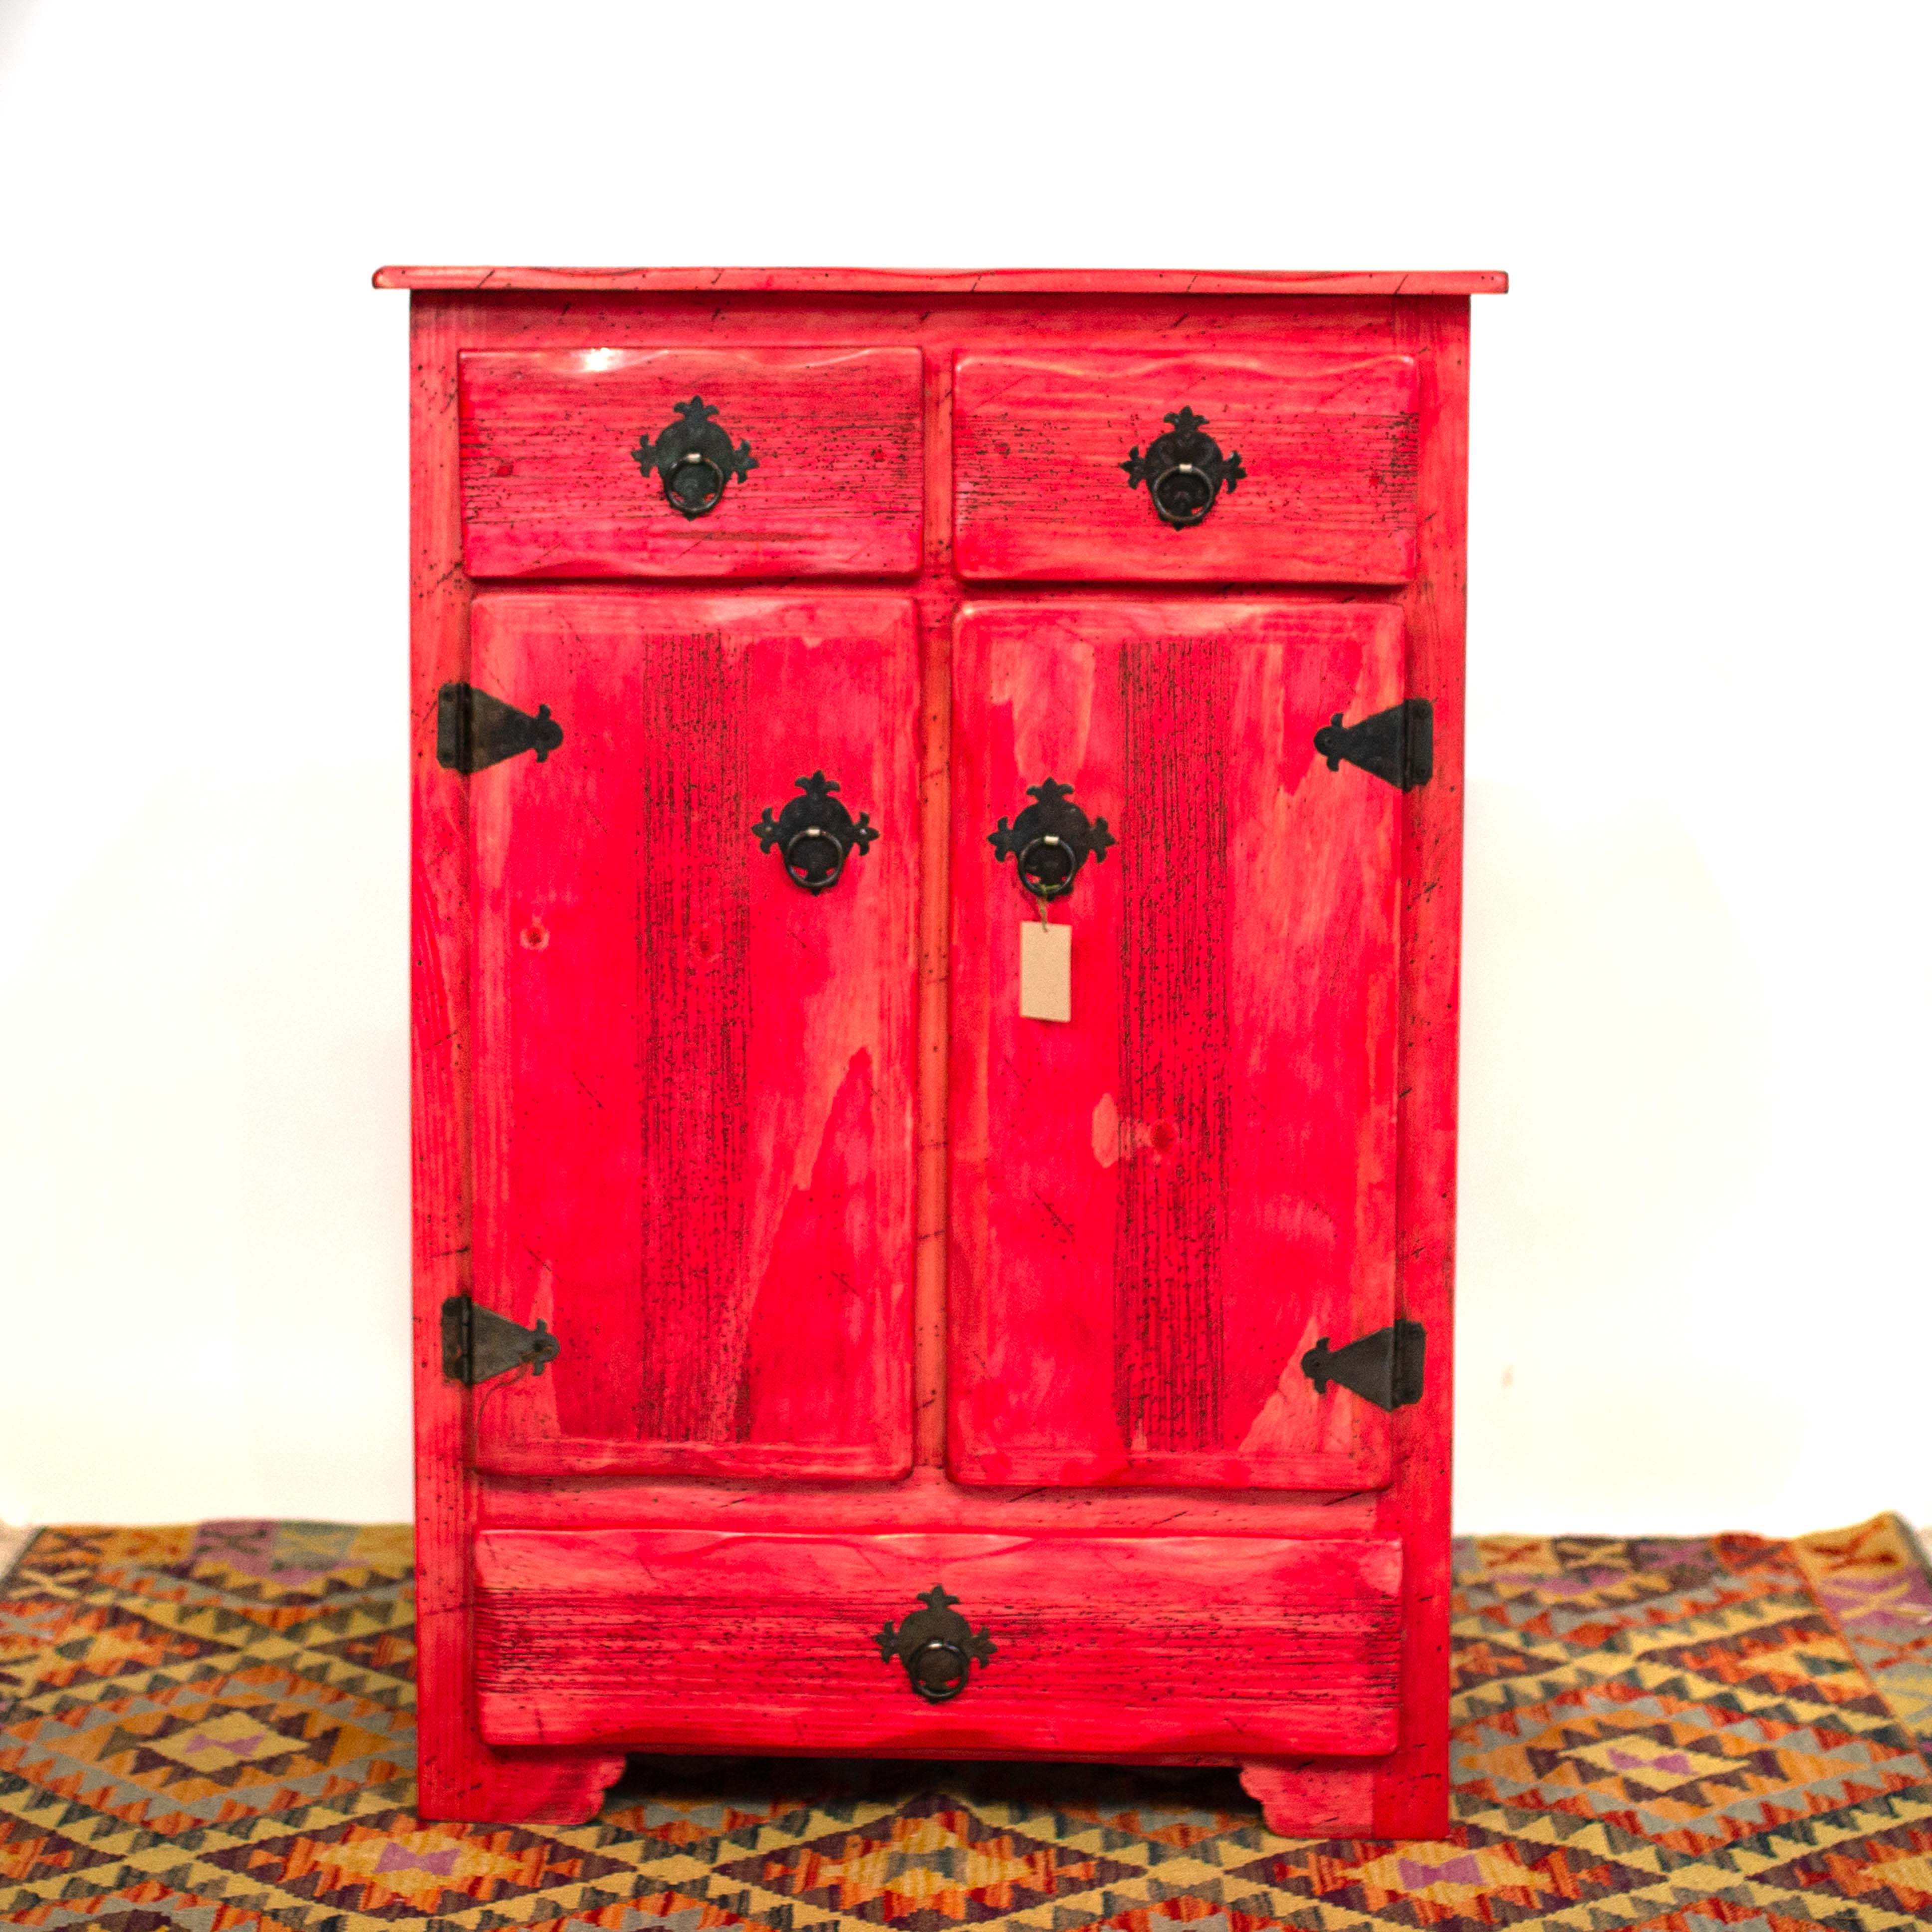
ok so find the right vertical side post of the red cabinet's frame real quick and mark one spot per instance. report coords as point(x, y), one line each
point(1413, 1786)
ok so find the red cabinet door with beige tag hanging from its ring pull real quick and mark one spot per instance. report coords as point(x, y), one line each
point(1162, 1203)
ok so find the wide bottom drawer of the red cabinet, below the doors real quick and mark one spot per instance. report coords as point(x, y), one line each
point(1100, 1645)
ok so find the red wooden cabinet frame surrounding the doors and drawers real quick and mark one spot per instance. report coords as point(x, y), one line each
point(1400, 1796)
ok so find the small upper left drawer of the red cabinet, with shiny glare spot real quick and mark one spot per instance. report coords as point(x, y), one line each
point(691, 463)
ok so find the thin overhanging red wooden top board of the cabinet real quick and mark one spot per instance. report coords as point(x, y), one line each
point(959, 281)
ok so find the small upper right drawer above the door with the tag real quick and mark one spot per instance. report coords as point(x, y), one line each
point(1293, 467)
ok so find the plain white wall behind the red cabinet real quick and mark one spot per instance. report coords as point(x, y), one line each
point(1695, 1284)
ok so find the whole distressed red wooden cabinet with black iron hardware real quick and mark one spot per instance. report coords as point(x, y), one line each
point(936, 940)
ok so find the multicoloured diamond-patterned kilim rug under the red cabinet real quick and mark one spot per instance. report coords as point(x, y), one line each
point(210, 1730)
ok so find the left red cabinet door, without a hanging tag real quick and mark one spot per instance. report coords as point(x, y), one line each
point(693, 1077)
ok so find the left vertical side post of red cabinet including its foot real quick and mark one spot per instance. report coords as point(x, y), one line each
point(459, 1776)
